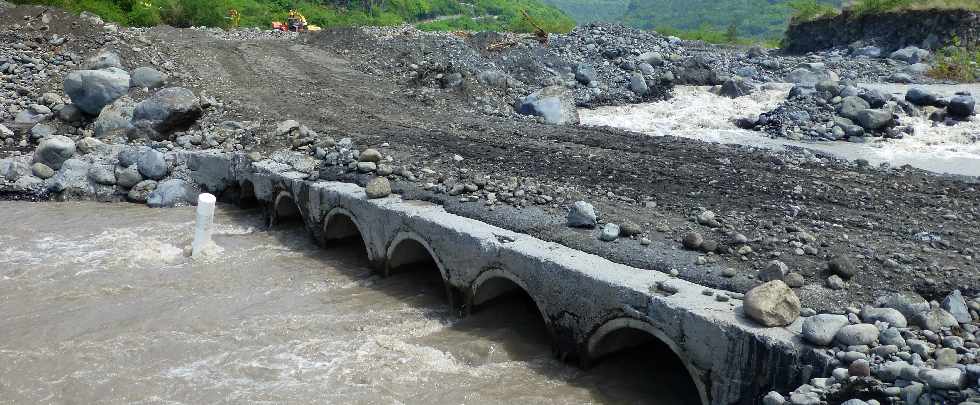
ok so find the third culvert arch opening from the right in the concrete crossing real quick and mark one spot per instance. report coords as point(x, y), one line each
point(410, 256)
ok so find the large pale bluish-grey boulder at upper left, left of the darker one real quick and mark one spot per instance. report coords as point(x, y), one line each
point(91, 90)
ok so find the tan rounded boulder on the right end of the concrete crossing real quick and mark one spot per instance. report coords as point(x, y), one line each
point(772, 304)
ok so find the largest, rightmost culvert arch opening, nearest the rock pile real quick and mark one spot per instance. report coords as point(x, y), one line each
point(643, 362)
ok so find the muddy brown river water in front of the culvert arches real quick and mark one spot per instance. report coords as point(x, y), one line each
point(98, 304)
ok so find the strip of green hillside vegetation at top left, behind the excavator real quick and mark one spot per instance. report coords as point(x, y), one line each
point(480, 14)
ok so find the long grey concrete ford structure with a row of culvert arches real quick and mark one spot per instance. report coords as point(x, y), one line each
point(591, 307)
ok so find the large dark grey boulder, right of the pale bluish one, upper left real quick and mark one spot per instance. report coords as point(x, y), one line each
point(168, 110)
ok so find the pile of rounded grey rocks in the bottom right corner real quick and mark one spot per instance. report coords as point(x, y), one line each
point(905, 349)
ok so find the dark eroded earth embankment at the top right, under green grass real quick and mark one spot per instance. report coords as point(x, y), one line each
point(923, 28)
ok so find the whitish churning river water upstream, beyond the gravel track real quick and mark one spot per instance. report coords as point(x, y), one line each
point(696, 113)
